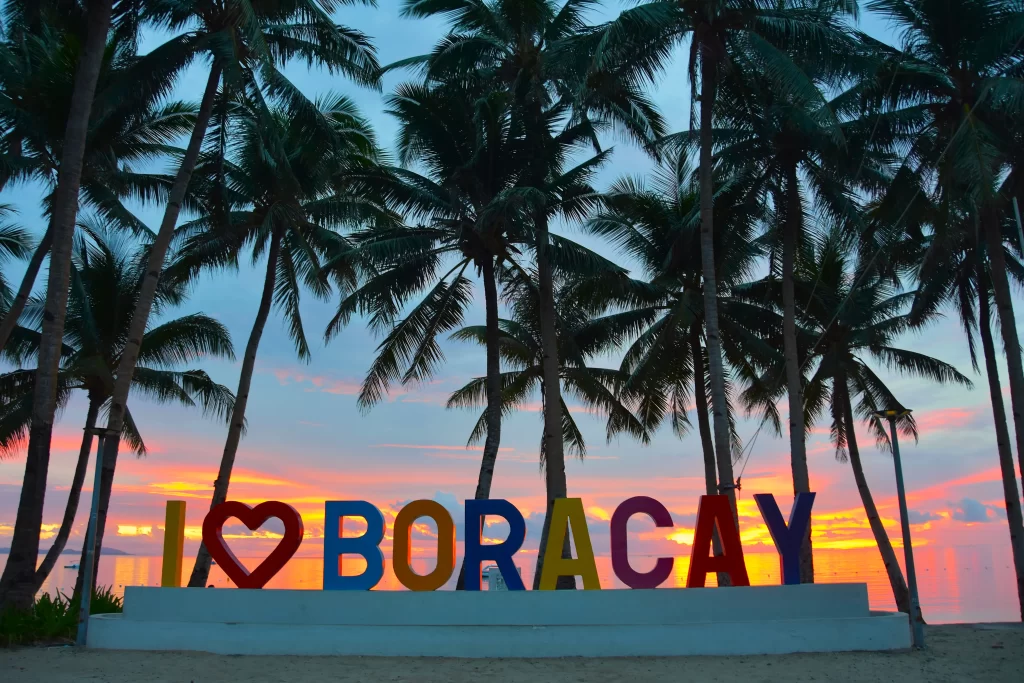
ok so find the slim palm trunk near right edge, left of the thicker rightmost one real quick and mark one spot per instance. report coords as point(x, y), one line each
point(1015, 520)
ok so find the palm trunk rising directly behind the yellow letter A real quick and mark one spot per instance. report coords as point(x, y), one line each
point(554, 452)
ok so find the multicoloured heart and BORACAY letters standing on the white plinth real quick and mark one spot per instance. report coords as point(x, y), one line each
point(568, 515)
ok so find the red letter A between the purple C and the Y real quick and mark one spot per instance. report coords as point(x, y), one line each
point(712, 511)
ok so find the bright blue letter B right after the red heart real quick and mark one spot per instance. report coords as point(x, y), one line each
point(367, 545)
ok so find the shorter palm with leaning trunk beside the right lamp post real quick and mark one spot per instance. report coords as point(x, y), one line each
point(852, 317)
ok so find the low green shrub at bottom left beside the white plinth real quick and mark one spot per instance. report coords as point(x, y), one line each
point(53, 619)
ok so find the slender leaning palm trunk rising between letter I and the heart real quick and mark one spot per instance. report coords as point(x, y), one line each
point(201, 572)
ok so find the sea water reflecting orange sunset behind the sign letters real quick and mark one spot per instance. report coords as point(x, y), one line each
point(962, 584)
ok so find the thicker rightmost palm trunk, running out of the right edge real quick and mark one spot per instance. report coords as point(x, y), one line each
point(1008, 326)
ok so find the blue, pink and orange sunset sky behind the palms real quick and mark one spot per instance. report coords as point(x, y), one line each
point(308, 443)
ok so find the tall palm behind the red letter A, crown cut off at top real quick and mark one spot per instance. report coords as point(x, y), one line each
point(732, 40)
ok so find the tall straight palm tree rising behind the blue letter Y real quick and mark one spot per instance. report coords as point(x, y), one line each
point(806, 156)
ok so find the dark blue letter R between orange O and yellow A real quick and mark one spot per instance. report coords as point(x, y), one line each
point(500, 553)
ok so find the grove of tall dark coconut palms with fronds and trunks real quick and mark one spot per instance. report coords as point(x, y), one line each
point(832, 196)
